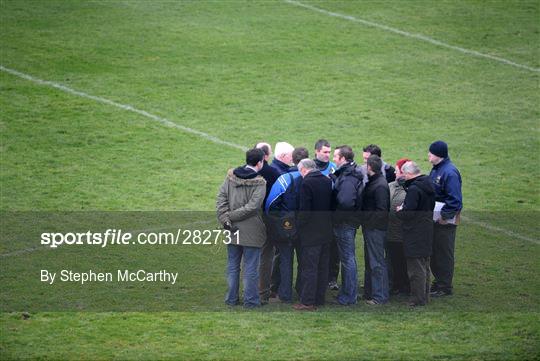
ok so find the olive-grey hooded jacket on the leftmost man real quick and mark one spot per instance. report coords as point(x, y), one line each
point(240, 202)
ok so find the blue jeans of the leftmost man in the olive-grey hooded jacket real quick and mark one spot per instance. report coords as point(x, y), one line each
point(251, 275)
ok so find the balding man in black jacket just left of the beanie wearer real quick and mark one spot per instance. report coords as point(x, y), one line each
point(417, 216)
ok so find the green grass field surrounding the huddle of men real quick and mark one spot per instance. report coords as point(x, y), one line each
point(242, 72)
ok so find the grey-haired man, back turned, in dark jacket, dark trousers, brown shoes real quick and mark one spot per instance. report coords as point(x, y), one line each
point(315, 234)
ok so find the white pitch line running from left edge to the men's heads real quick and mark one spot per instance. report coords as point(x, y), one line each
point(122, 106)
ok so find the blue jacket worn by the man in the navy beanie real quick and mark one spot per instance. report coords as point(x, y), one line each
point(447, 182)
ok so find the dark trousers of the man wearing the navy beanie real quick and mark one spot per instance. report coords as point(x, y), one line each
point(442, 256)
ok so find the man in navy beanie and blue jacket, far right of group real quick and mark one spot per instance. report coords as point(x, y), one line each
point(447, 182)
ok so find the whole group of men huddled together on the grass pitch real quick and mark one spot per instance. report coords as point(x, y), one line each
point(314, 207)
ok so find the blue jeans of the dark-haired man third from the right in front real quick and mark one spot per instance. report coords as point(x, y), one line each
point(376, 272)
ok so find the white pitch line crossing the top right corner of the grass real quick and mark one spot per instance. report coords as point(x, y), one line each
point(414, 36)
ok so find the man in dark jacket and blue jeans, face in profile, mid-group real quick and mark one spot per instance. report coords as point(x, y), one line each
point(348, 185)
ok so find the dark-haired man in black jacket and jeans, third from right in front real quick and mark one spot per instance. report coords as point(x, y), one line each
point(375, 208)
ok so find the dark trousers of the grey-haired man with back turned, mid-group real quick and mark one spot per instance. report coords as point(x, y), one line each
point(314, 272)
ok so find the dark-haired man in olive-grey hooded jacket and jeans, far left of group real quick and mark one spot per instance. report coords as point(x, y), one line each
point(239, 209)
